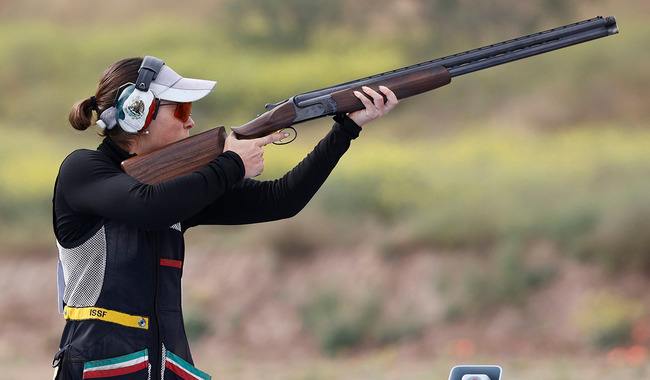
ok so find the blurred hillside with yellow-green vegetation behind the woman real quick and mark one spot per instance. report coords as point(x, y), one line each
point(503, 219)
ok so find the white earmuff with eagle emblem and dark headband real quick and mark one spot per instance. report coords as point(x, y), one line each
point(136, 104)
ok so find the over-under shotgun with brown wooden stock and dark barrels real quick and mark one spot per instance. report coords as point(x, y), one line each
point(188, 155)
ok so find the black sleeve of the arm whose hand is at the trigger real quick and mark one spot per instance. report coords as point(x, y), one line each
point(93, 185)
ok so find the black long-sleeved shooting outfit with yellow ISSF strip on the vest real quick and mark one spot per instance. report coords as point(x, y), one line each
point(121, 250)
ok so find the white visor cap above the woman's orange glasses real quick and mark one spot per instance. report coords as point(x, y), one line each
point(168, 85)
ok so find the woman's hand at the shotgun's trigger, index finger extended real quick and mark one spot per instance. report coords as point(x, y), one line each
point(250, 150)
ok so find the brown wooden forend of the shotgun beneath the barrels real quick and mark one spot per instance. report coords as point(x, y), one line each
point(403, 85)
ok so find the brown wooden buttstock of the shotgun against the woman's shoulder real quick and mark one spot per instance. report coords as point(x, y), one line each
point(180, 158)
